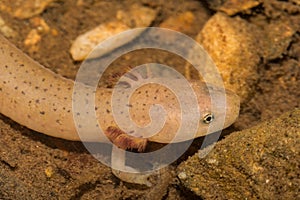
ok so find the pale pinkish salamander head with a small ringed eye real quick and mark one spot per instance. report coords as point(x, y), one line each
point(177, 121)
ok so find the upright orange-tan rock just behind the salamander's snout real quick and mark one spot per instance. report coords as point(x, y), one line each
point(233, 45)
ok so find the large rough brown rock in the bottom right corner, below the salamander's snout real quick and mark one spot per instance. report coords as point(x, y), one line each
point(258, 163)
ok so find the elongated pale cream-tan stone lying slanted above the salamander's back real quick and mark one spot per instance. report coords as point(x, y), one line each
point(137, 16)
